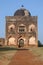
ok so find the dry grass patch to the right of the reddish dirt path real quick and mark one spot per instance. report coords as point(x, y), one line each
point(38, 51)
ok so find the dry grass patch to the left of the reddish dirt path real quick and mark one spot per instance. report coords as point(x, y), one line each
point(6, 56)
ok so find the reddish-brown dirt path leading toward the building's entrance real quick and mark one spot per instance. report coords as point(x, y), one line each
point(25, 57)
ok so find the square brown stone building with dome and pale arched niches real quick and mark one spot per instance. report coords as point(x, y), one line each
point(21, 29)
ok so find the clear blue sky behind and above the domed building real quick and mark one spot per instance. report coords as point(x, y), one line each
point(8, 7)
